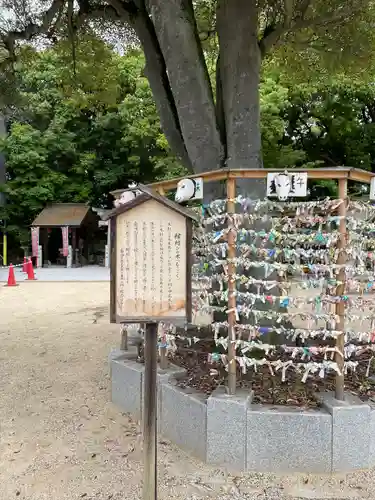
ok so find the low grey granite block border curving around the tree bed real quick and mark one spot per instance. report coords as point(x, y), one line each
point(232, 432)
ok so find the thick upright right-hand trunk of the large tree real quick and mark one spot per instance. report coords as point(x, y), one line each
point(239, 70)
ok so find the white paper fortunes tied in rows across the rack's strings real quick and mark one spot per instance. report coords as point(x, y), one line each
point(310, 241)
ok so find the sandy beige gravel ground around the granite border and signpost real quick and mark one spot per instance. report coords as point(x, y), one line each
point(61, 438)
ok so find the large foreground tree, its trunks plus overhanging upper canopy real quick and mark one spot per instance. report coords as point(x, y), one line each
point(209, 124)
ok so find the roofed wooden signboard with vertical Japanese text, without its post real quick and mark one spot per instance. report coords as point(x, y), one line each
point(151, 260)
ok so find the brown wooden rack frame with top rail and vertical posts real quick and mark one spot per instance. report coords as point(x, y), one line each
point(341, 174)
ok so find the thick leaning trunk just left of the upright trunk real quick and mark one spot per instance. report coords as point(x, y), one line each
point(176, 31)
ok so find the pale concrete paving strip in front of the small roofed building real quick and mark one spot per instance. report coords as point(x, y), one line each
point(87, 273)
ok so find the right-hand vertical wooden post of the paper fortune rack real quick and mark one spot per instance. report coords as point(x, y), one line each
point(340, 290)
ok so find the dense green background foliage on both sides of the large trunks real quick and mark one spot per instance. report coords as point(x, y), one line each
point(81, 130)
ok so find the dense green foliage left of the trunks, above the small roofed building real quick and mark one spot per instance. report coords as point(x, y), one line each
point(77, 135)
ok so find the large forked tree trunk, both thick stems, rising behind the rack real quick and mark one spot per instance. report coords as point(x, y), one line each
point(204, 134)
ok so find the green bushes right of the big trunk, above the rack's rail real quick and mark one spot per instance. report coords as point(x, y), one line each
point(329, 121)
